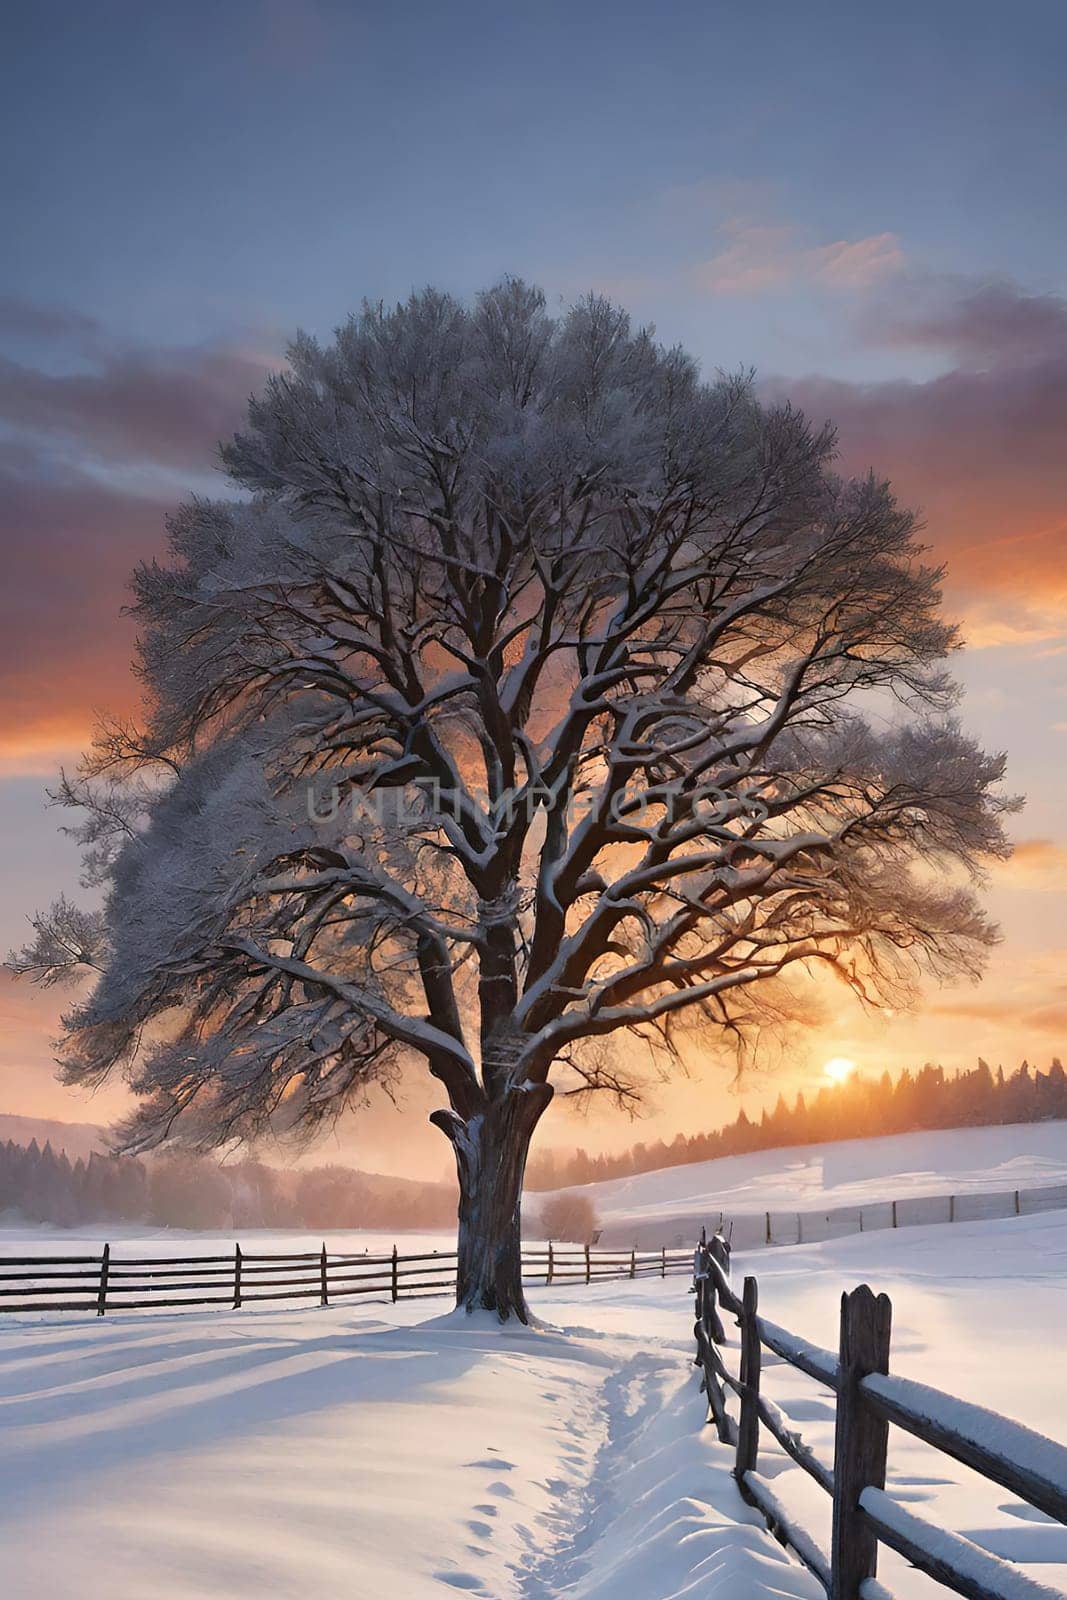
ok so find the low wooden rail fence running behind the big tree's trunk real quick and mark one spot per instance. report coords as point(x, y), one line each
point(108, 1282)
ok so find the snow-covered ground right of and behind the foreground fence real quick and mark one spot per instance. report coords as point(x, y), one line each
point(980, 1311)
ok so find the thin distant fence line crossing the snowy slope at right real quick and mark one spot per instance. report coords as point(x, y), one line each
point(753, 1230)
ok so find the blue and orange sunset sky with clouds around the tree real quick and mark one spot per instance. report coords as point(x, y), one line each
point(868, 209)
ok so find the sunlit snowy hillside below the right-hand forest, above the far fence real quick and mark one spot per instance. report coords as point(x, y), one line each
point(677, 1201)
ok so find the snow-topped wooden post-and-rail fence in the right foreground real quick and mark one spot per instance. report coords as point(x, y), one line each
point(868, 1401)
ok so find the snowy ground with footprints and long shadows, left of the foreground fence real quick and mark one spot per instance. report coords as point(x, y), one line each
point(330, 1455)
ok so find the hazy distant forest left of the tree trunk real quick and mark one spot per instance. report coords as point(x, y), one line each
point(191, 1191)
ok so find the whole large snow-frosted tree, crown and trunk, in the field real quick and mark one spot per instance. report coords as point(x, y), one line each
point(518, 703)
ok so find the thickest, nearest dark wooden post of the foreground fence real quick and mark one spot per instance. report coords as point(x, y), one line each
point(860, 1444)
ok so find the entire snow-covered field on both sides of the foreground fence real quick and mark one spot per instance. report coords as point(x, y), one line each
point(342, 1454)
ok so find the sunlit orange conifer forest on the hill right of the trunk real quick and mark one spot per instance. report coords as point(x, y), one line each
point(858, 1110)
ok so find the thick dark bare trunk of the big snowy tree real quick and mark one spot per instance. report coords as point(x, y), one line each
point(490, 1162)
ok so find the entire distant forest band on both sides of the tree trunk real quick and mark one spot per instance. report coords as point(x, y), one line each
point(193, 1191)
